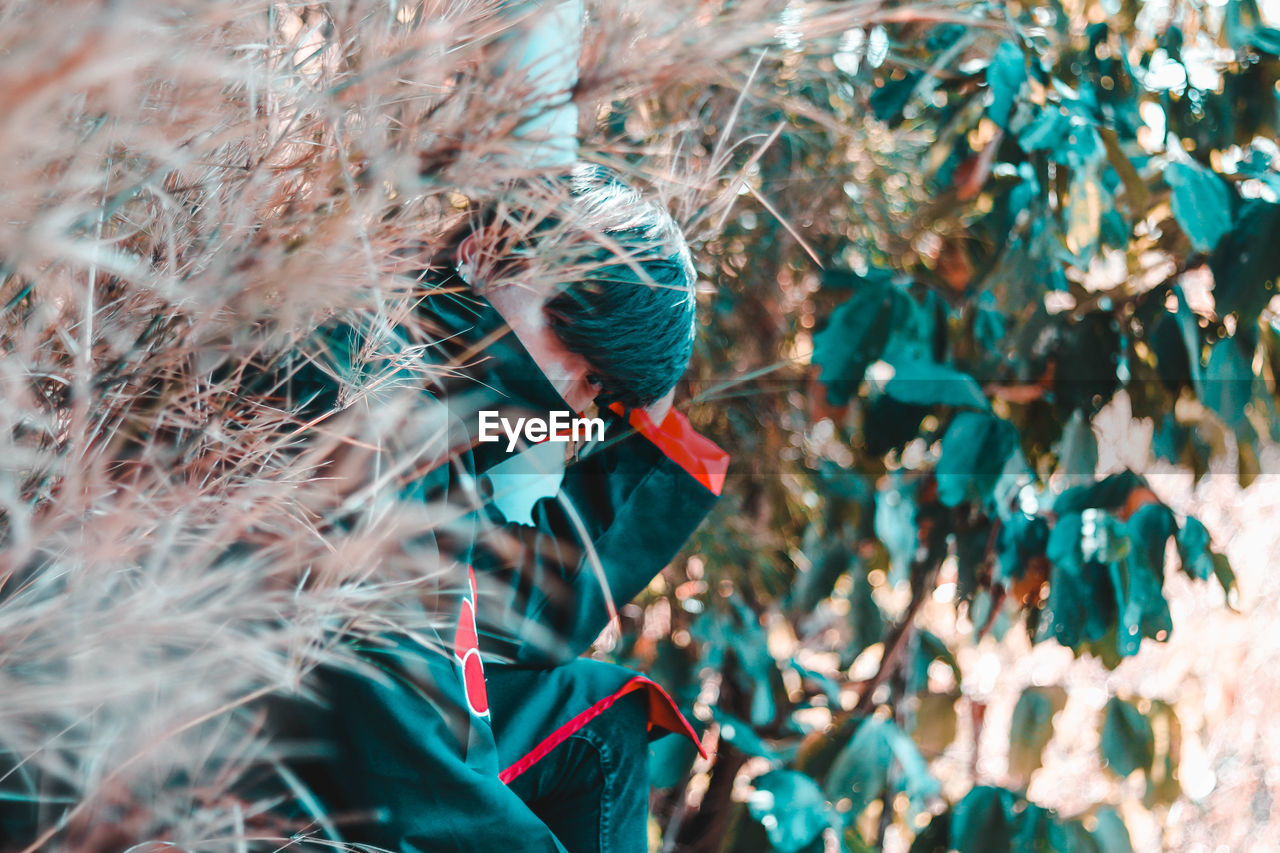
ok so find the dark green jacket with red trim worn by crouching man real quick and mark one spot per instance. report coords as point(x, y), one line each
point(417, 745)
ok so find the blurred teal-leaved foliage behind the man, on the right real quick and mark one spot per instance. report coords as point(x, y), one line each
point(956, 241)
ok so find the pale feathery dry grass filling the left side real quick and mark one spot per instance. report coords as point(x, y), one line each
point(189, 189)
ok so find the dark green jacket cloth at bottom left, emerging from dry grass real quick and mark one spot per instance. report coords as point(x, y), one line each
point(396, 758)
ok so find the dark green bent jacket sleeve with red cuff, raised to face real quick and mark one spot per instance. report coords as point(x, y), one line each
point(623, 513)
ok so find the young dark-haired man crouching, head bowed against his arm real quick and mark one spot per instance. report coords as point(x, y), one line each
point(509, 740)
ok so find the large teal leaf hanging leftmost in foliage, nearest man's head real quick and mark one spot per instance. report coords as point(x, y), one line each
point(854, 337)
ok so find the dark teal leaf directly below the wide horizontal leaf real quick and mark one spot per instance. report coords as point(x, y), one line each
point(975, 451)
